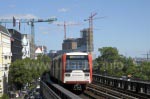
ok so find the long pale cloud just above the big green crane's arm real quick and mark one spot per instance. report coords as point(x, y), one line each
point(19, 16)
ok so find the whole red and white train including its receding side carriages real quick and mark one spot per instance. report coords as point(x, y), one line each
point(73, 69)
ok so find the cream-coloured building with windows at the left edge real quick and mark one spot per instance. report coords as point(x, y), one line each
point(5, 58)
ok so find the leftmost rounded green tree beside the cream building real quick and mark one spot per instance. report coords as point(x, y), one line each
point(20, 73)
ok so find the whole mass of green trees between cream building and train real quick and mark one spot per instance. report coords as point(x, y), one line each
point(25, 71)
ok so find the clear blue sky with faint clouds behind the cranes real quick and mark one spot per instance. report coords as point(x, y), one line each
point(124, 24)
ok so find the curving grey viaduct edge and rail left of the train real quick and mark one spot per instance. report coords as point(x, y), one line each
point(50, 90)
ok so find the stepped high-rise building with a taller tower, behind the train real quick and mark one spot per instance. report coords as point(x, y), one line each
point(84, 43)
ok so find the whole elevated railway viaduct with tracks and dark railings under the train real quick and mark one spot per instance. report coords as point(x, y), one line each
point(103, 87)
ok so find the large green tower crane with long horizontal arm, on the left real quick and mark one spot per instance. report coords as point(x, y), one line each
point(29, 22)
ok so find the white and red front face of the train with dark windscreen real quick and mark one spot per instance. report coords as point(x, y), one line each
point(78, 70)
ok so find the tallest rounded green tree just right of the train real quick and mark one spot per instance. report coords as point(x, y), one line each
point(105, 62)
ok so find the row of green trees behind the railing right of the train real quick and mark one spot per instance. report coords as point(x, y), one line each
point(113, 64)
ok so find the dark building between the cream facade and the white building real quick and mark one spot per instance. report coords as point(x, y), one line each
point(16, 44)
